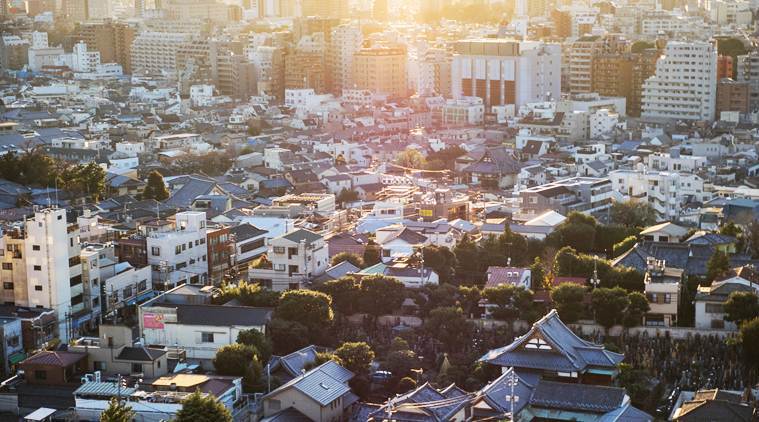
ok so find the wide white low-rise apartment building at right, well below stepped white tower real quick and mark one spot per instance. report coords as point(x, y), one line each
point(666, 191)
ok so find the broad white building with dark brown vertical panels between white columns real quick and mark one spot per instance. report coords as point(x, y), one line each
point(505, 72)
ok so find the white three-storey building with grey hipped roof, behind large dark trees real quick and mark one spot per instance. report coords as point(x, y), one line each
point(295, 259)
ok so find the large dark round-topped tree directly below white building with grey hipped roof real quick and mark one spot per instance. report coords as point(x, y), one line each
point(308, 307)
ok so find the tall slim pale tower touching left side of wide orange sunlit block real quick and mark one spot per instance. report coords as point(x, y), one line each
point(344, 42)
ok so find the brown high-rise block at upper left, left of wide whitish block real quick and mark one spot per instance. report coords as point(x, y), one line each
point(112, 39)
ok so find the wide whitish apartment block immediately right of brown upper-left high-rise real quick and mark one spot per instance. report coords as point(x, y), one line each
point(157, 51)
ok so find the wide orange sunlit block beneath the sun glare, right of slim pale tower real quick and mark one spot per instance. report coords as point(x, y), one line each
point(381, 69)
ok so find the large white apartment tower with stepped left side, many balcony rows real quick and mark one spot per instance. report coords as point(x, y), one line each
point(684, 85)
